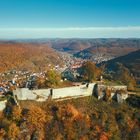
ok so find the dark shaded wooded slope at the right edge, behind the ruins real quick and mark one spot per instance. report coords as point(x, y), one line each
point(131, 62)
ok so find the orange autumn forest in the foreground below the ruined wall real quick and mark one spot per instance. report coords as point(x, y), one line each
point(81, 119)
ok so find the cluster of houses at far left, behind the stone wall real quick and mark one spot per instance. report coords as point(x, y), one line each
point(16, 79)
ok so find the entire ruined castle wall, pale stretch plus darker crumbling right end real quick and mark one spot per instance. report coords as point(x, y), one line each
point(70, 92)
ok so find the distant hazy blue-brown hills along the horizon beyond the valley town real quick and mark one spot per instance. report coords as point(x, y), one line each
point(88, 47)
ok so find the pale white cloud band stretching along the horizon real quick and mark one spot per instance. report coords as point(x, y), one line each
point(72, 32)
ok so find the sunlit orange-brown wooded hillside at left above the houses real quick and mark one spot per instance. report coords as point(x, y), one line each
point(31, 56)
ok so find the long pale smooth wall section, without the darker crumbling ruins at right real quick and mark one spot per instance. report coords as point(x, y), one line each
point(44, 94)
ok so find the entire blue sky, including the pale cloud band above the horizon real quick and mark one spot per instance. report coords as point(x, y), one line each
point(69, 18)
